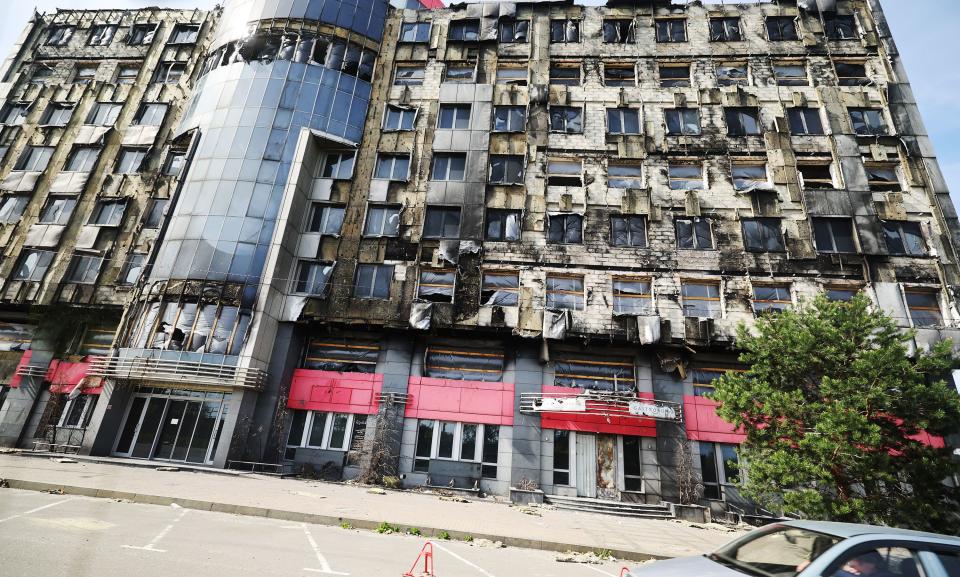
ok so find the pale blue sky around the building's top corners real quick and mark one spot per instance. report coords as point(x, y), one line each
point(925, 31)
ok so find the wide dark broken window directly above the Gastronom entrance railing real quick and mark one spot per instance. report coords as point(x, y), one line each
point(597, 373)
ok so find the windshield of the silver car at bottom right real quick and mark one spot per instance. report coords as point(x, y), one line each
point(776, 552)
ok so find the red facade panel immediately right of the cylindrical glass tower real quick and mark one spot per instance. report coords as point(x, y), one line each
point(334, 392)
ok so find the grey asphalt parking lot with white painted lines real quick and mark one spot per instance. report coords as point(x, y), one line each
point(44, 535)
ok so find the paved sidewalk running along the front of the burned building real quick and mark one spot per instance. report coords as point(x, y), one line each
point(335, 504)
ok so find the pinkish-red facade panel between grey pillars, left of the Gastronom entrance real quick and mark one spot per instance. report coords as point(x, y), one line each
point(464, 401)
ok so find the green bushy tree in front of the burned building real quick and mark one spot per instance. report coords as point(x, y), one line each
point(832, 406)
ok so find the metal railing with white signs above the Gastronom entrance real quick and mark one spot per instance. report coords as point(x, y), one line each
point(604, 404)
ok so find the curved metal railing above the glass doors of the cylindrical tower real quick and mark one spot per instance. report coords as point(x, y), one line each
point(177, 371)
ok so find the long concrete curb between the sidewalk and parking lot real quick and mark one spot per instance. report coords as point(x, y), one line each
point(316, 519)
